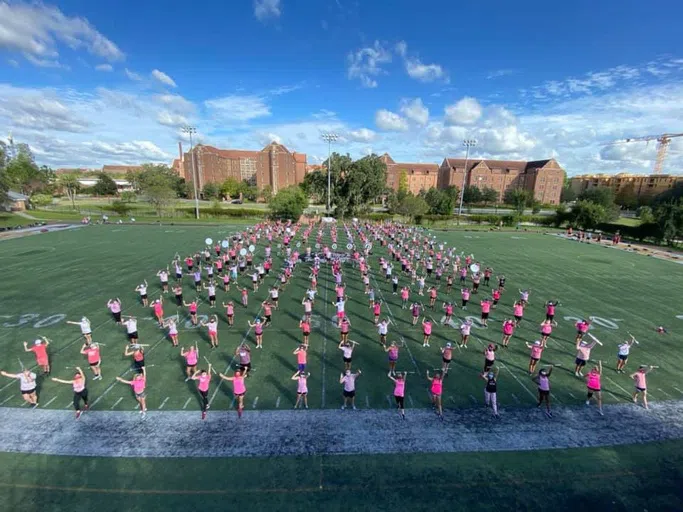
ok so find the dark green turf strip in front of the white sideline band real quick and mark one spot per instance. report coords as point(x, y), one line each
point(633, 477)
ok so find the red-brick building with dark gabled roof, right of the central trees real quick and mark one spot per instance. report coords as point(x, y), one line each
point(542, 177)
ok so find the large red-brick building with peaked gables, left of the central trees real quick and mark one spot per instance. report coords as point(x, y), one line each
point(273, 166)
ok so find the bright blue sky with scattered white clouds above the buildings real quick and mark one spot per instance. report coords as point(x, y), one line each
point(91, 83)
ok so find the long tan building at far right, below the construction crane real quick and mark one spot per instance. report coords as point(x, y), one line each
point(641, 185)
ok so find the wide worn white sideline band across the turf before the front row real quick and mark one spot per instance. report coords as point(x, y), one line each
point(329, 431)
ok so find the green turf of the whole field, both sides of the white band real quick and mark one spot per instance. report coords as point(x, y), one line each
point(63, 276)
